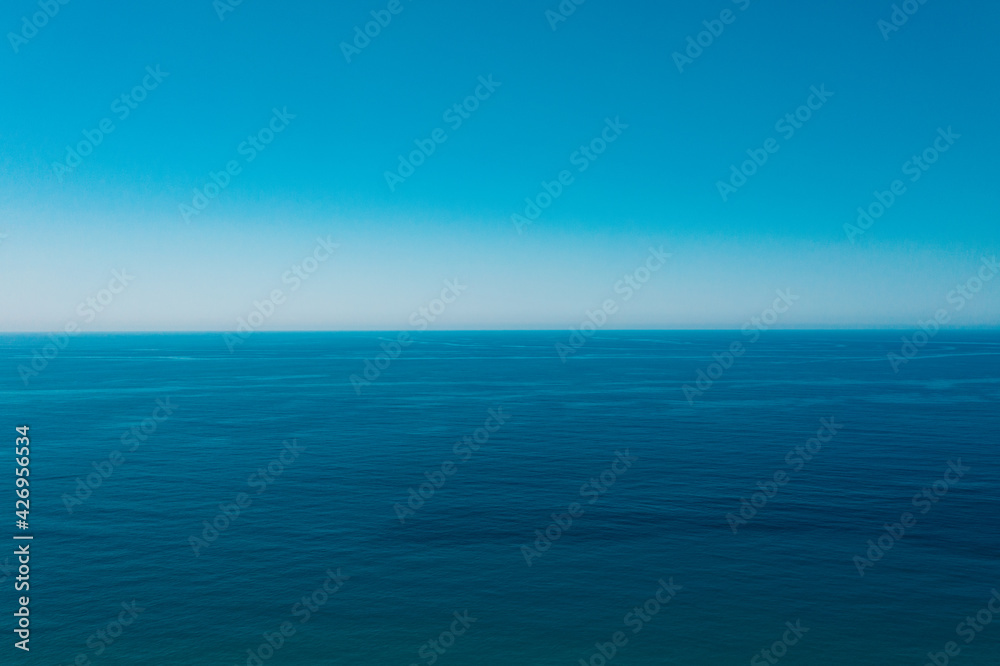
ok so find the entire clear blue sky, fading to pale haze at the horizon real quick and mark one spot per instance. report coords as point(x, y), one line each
point(120, 121)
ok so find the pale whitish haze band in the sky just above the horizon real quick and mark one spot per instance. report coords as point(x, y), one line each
point(333, 277)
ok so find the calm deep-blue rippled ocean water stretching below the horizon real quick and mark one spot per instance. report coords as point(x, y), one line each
point(609, 435)
